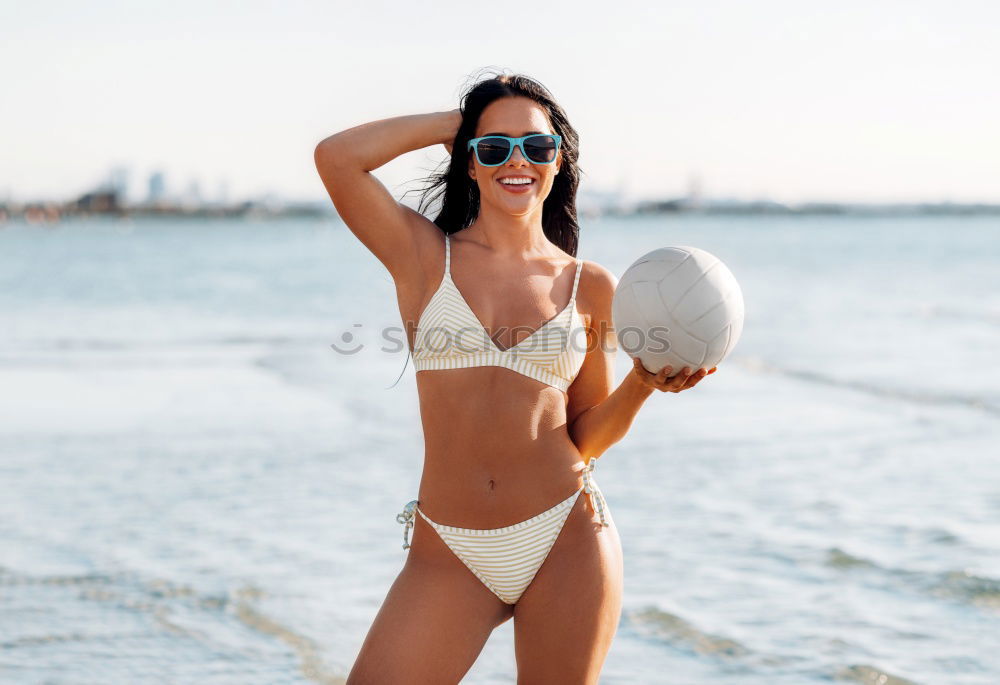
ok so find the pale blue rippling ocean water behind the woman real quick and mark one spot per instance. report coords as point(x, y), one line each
point(196, 488)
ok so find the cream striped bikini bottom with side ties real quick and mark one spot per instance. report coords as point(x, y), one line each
point(507, 559)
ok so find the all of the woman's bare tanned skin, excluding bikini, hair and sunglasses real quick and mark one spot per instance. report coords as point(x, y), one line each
point(499, 447)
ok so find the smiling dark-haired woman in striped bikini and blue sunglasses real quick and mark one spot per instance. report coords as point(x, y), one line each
point(514, 416)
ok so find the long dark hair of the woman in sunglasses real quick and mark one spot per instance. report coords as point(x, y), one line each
point(459, 194)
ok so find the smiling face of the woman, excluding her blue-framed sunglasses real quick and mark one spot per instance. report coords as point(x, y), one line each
point(514, 117)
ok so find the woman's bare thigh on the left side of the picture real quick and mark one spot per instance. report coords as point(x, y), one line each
point(434, 621)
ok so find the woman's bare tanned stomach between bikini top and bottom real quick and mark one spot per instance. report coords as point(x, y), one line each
point(496, 447)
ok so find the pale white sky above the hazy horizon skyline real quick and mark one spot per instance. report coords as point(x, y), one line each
point(860, 101)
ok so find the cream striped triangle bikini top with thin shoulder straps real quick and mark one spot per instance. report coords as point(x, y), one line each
point(450, 336)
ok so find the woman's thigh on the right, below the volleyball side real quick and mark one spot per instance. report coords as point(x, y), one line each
point(565, 621)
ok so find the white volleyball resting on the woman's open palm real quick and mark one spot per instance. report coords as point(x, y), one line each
point(680, 306)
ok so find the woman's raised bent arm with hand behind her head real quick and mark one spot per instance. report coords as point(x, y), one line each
point(392, 231)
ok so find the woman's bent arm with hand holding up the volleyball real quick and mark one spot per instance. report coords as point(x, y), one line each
point(597, 417)
